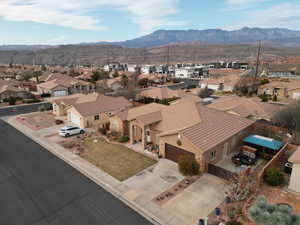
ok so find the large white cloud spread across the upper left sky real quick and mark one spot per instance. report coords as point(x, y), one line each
point(148, 14)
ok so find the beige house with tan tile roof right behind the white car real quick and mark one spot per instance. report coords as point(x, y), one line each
point(87, 110)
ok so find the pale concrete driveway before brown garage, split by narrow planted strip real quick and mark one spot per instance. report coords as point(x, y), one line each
point(197, 201)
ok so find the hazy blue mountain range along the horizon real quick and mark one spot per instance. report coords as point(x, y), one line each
point(272, 36)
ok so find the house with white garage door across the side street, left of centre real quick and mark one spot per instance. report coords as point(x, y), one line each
point(62, 85)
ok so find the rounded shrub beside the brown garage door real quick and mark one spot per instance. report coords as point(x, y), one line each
point(188, 165)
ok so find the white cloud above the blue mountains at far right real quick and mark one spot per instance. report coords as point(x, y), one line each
point(286, 15)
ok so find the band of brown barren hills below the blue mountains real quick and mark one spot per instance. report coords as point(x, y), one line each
point(195, 52)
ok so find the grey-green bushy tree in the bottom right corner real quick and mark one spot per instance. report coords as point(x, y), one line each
point(263, 213)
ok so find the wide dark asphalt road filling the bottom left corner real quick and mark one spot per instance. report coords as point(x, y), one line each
point(37, 188)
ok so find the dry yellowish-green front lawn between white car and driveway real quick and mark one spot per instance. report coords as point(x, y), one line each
point(116, 160)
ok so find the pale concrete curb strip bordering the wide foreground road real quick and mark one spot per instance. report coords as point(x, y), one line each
point(151, 218)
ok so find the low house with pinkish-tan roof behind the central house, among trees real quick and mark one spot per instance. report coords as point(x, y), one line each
point(162, 93)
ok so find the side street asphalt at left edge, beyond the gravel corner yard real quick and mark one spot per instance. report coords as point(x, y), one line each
point(9, 111)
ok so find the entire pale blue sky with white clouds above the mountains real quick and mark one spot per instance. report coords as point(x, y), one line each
point(75, 21)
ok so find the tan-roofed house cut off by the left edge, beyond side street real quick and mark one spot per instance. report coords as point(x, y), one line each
point(11, 88)
